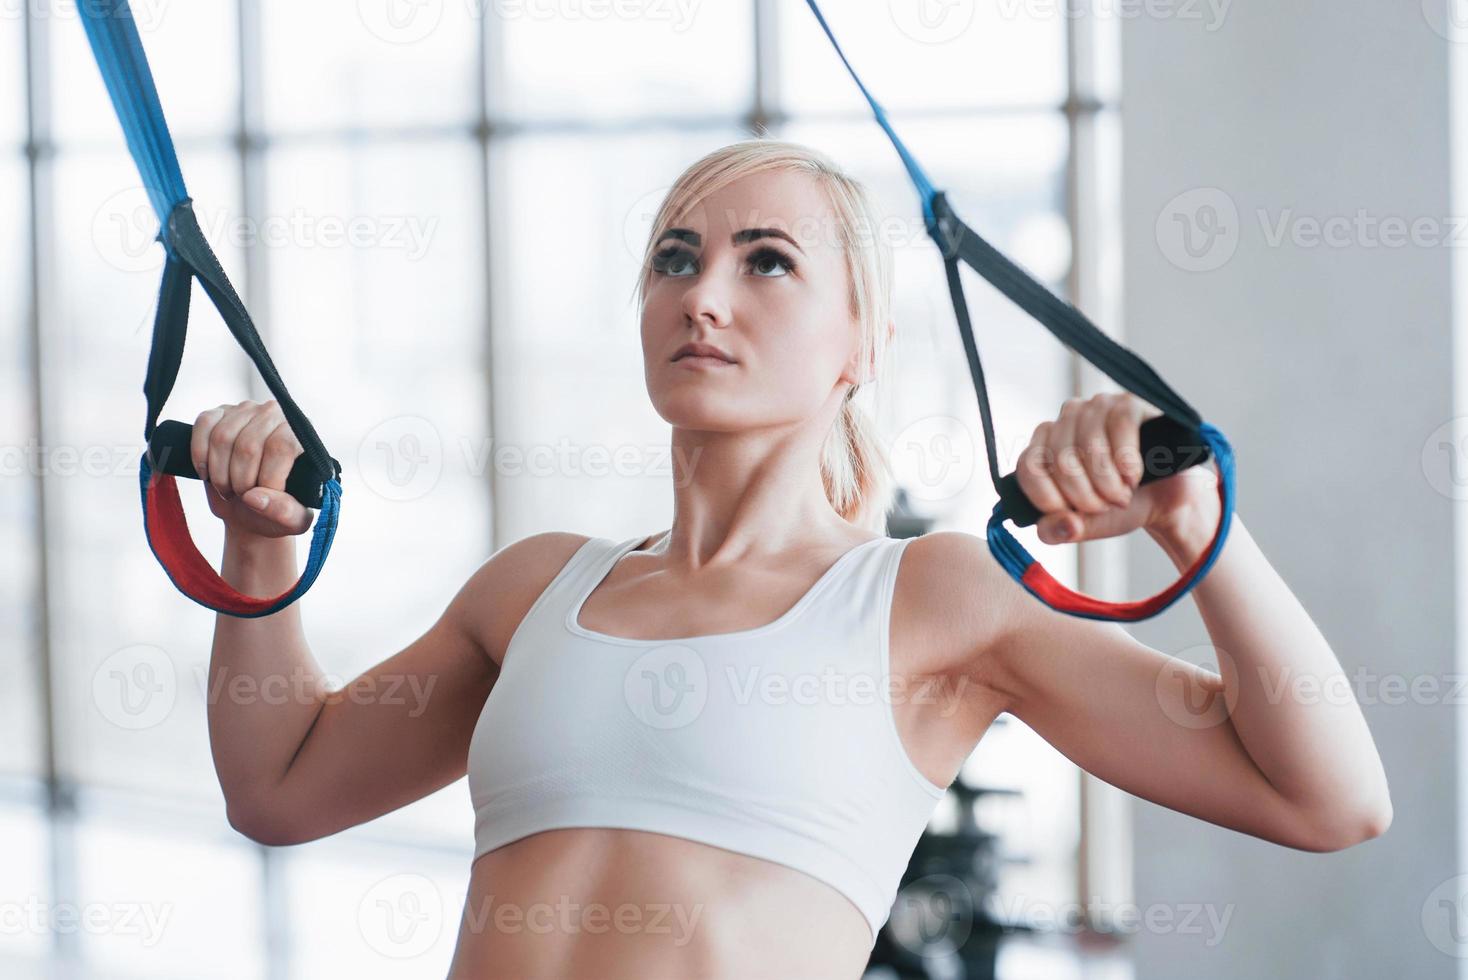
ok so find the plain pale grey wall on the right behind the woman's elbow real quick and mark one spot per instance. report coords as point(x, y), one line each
point(1329, 369)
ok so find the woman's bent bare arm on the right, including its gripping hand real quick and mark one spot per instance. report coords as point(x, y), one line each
point(1249, 749)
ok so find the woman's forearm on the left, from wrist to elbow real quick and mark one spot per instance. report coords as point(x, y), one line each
point(264, 684)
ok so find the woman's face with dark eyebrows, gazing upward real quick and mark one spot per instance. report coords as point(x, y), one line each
point(757, 272)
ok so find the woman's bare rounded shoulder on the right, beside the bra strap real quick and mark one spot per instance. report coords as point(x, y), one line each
point(952, 605)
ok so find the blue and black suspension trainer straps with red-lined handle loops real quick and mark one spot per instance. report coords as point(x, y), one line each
point(1175, 441)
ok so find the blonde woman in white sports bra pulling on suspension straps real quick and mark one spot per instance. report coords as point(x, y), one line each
point(677, 774)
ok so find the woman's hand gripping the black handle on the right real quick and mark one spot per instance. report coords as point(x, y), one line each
point(1084, 472)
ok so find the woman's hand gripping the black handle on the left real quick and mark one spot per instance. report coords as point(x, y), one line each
point(243, 451)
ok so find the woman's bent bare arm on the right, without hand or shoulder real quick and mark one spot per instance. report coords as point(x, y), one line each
point(1224, 749)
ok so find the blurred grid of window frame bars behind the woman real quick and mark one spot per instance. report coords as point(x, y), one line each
point(1091, 213)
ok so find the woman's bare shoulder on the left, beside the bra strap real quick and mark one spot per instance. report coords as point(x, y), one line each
point(501, 592)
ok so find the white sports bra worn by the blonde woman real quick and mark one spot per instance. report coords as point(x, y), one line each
point(776, 742)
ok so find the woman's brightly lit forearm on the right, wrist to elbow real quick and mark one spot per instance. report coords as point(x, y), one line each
point(1288, 698)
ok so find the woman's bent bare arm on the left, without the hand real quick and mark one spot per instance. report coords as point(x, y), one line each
point(299, 762)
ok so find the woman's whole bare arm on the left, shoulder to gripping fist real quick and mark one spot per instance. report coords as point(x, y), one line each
point(296, 761)
